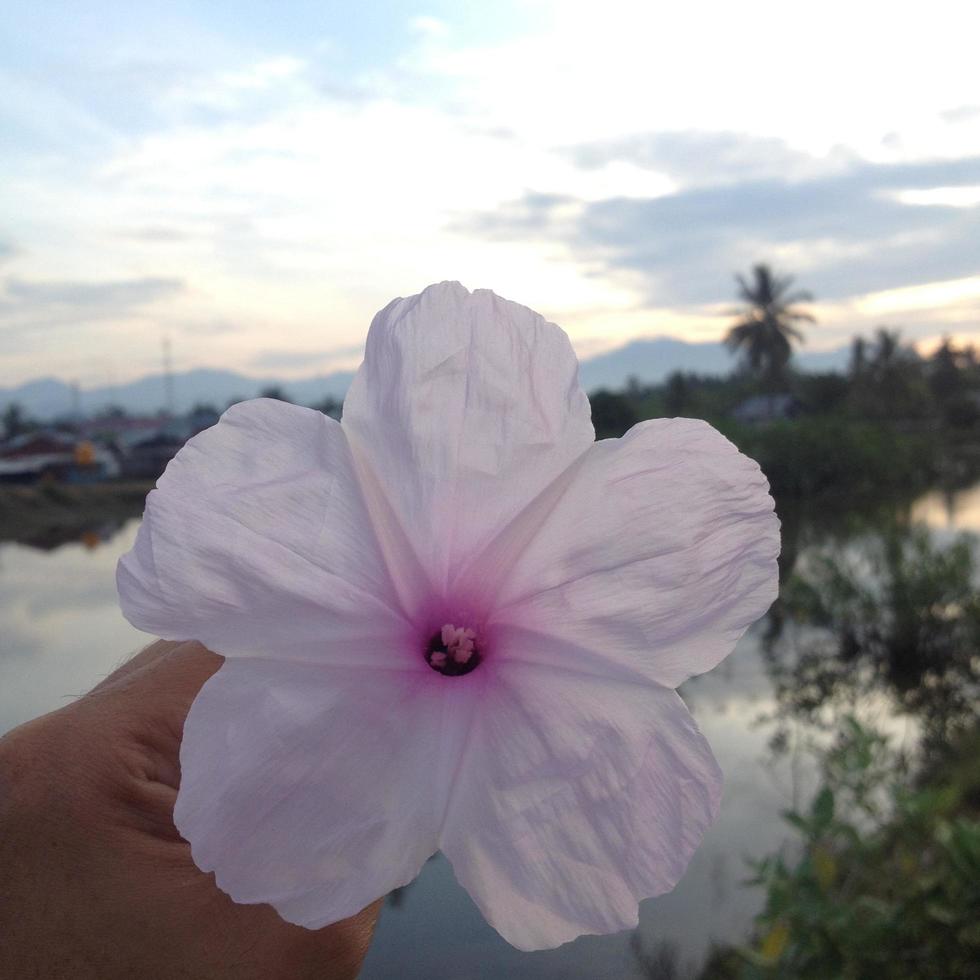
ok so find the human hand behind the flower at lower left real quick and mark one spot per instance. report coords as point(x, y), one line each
point(95, 881)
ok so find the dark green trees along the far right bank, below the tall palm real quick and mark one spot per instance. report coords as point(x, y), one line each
point(896, 422)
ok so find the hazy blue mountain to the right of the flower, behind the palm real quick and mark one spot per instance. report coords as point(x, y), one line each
point(655, 359)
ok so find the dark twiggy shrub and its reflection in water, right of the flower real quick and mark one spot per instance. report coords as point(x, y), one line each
point(890, 612)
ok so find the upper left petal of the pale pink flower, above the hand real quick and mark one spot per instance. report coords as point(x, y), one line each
point(257, 542)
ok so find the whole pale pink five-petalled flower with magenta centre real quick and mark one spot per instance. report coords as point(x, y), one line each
point(452, 621)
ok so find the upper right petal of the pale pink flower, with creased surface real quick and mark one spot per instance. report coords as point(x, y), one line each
point(658, 555)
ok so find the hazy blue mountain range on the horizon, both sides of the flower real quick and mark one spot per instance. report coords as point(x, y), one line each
point(649, 360)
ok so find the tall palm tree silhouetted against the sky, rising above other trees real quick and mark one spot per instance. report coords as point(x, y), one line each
point(765, 333)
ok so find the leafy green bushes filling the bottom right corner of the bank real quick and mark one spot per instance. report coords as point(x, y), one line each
point(884, 880)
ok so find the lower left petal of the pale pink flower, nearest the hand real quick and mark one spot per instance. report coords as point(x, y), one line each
point(307, 786)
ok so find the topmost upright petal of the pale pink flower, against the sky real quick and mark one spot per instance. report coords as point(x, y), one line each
point(466, 407)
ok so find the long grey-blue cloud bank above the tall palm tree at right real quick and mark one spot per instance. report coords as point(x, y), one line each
point(844, 233)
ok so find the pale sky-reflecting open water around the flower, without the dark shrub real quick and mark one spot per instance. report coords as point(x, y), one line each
point(61, 632)
